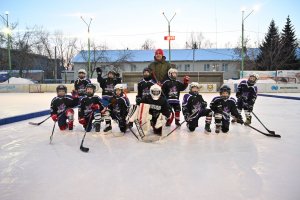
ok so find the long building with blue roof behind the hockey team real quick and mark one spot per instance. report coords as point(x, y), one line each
point(189, 60)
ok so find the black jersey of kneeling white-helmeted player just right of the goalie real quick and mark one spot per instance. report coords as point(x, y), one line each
point(192, 103)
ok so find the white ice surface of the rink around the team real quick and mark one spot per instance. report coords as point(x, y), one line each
point(242, 164)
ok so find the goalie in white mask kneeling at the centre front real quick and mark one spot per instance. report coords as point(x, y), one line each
point(158, 106)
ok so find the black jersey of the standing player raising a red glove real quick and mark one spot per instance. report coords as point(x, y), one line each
point(172, 88)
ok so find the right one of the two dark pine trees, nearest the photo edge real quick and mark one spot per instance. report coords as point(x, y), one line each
point(289, 45)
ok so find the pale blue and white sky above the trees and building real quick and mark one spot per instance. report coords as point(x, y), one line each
point(128, 24)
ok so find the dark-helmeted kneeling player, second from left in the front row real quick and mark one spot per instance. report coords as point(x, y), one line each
point(90, 108)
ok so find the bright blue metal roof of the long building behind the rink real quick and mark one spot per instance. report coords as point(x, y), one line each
point(176, 55)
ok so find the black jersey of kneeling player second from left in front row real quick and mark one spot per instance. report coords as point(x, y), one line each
point(86, 102)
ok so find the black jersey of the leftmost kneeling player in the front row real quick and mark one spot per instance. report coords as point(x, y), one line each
point(60, 104)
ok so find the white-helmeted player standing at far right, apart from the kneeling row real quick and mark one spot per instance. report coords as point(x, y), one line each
point(246, 95)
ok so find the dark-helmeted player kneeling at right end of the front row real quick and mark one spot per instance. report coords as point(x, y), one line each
point(224, 106)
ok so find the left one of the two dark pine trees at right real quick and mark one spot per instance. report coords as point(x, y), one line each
point(269, 50)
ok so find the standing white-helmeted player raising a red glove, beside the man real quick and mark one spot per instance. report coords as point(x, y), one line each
point(171, 89)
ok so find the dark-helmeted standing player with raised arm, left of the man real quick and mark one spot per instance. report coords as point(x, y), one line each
point(107, 85)
